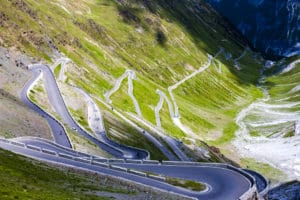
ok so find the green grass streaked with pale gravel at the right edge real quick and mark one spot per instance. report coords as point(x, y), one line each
point(280, 88)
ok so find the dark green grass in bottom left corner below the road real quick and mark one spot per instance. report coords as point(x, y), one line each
point(24, 179)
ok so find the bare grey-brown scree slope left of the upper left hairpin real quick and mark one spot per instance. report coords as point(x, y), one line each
point(15, 118)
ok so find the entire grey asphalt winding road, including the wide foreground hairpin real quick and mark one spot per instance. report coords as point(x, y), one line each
point(222, 181)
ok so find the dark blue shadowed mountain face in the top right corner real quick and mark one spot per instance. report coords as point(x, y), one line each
point(272, 27)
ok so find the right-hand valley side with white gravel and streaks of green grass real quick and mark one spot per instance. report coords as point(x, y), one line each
point(269, 129)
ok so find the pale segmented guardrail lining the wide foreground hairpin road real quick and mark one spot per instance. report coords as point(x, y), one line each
point(107, 163)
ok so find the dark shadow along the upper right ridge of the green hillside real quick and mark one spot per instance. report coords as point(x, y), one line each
point(205, 26)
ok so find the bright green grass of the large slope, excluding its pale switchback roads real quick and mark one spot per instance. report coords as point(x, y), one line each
point(103, 38)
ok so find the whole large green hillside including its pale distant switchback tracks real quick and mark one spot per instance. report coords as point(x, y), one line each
point(171, 67)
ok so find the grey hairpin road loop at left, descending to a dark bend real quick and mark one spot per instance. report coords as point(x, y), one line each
point(58, 104)
